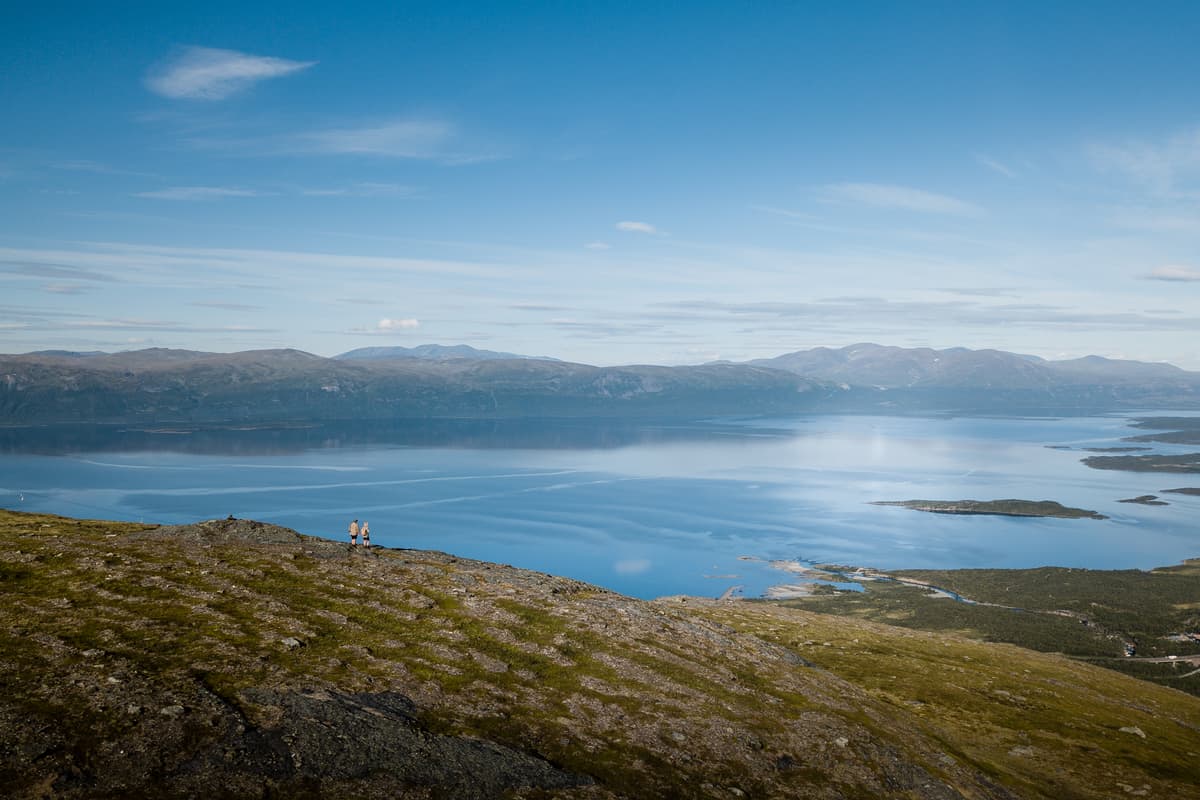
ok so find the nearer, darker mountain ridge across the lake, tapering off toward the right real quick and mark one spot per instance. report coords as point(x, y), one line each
point(290, 386)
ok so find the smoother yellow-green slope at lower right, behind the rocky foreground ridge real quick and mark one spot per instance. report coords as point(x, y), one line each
point(1042, 726)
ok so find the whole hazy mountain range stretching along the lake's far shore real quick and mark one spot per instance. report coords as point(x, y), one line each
point(163, 387)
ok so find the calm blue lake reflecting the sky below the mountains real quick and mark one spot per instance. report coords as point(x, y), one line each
point(647, 509)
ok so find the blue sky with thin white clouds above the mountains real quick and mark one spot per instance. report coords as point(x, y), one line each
point(610, 183)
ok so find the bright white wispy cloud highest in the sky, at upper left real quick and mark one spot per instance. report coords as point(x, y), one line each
point(208, 74)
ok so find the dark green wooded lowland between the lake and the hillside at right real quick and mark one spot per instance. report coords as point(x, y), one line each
point(1093, 616)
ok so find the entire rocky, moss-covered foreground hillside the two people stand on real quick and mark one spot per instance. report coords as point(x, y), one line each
point(235, 659)
